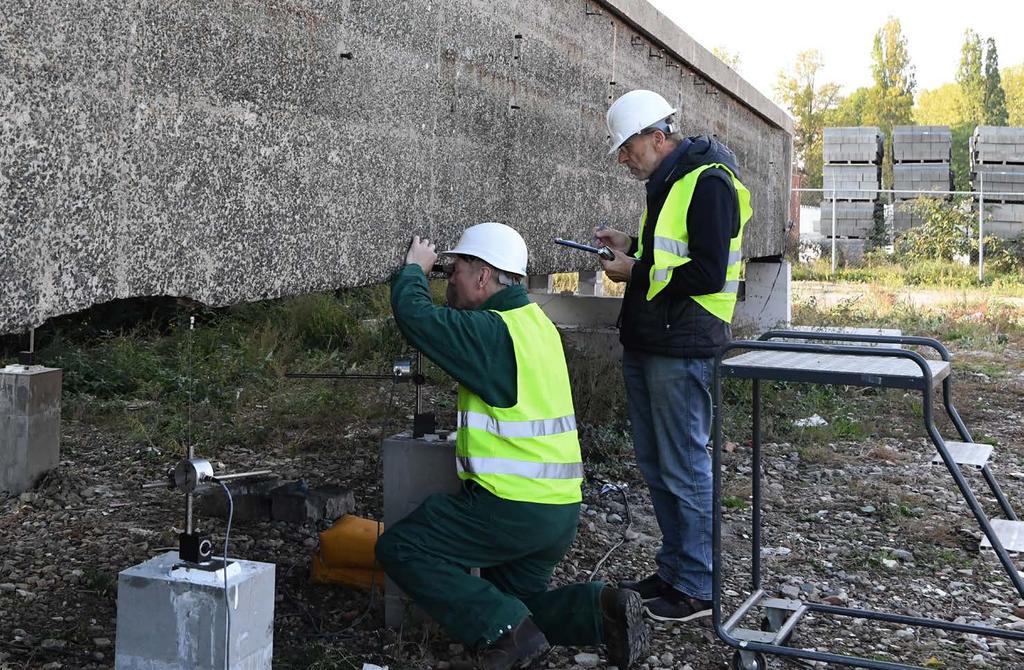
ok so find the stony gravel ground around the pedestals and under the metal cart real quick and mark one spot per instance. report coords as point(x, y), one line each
point(868, 524)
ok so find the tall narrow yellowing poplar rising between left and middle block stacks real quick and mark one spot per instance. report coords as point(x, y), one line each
point(892, 96)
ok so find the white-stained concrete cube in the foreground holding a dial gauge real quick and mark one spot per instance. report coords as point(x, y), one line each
point(176, 618)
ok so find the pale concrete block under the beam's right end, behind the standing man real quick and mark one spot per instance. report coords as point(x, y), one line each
point(767, 299)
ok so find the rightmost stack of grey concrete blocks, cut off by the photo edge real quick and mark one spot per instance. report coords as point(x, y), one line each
point(998, 178)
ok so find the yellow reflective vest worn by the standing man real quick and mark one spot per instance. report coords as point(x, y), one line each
point(672, 249)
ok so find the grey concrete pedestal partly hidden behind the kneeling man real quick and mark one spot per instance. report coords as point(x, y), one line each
point(414, 469)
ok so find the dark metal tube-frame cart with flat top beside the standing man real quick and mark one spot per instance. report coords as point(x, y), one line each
point(839, 365)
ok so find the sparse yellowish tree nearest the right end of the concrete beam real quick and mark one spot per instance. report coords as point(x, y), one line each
point(809, 104)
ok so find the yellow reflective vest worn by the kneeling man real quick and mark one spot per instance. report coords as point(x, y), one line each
point(531, 451)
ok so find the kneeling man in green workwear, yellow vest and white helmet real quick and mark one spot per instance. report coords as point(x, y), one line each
point(519, 457)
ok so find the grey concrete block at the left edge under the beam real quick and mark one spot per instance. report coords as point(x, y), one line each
point(30, 426)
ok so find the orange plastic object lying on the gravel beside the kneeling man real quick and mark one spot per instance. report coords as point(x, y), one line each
point(347, 555)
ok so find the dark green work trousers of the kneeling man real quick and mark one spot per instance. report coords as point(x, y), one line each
point(517, 546)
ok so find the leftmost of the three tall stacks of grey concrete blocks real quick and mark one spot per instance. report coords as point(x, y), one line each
point(851, 178)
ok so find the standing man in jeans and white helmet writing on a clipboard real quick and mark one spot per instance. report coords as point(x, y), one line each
point(682, 272)
